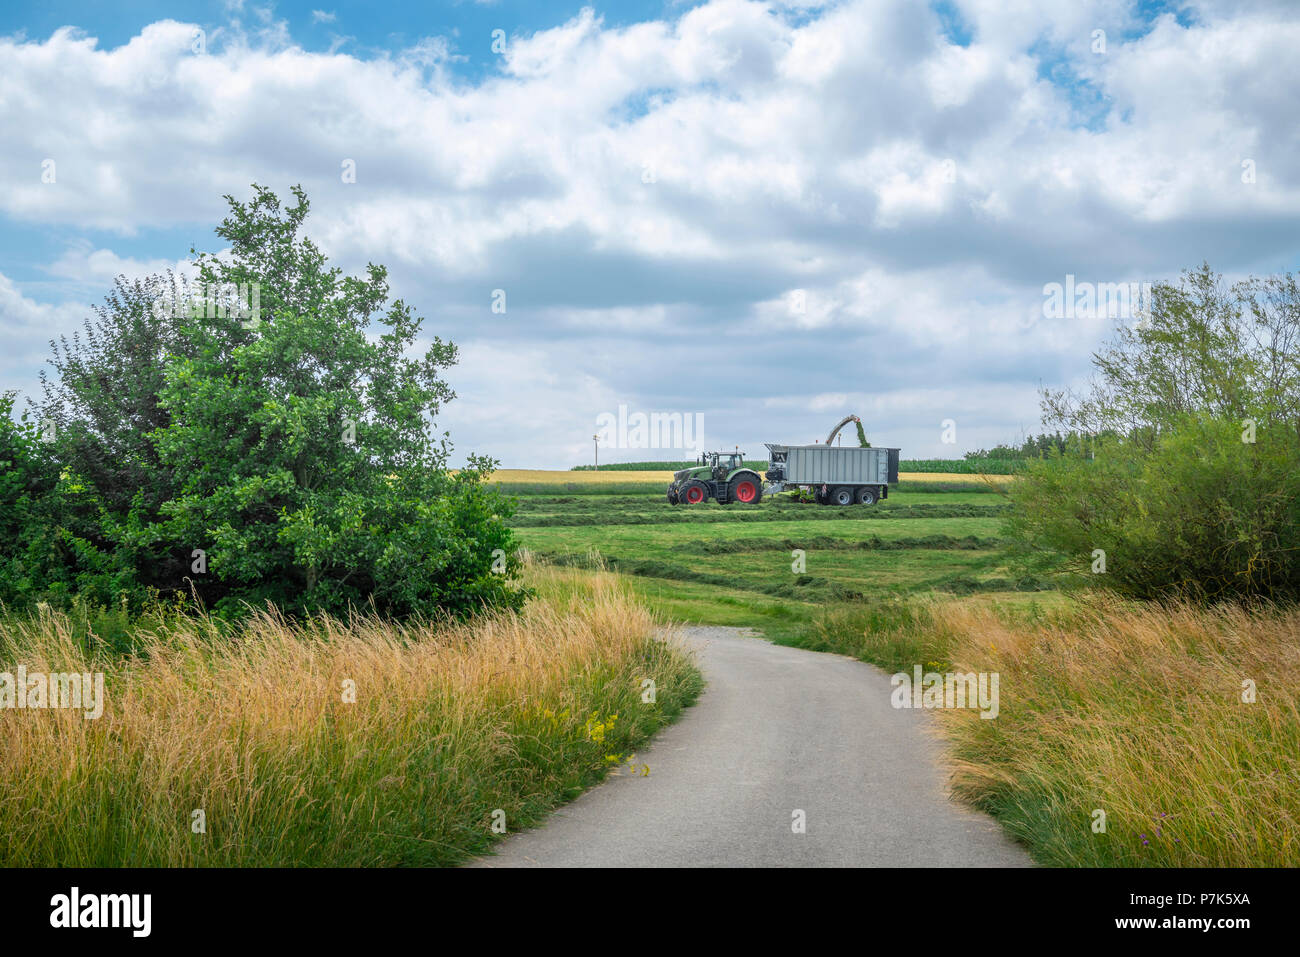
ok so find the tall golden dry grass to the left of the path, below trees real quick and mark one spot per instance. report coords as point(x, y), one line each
point(450, 724)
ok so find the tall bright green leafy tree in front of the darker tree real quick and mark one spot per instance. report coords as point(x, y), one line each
point(302, 444)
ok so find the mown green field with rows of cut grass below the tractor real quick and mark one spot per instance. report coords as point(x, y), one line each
point(738, 564)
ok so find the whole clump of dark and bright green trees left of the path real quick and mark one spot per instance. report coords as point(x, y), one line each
point(266, 434)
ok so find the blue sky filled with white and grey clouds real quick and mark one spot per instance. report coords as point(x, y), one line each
point(765, 214)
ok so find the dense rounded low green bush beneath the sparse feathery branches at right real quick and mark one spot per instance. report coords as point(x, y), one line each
point(1202, 514)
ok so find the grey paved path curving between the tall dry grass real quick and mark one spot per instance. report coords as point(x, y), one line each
point(778, 730)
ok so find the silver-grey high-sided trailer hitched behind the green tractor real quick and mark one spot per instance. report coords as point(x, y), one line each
point(837, 475)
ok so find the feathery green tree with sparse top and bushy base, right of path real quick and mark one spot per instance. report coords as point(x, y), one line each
point(1191, 482)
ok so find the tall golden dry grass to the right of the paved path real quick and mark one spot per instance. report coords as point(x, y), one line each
point(1132, 709)
